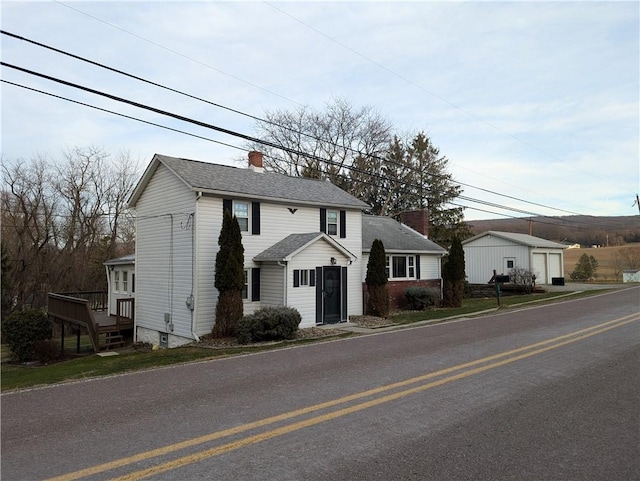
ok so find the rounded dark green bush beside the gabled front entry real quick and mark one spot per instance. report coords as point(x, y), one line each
point(268, 324)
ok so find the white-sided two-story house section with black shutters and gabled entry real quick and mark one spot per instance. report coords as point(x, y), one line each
point(302, 243)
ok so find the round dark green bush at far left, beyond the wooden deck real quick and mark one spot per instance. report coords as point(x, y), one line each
point(22, 330)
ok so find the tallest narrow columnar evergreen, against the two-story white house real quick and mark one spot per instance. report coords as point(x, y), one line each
point(229, 277)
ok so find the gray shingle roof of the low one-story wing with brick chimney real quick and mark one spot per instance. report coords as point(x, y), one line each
point(395, 236)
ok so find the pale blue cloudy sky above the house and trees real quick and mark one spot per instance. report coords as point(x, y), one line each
point(534, 100)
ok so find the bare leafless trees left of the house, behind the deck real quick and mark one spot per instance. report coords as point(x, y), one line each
point(61, 219)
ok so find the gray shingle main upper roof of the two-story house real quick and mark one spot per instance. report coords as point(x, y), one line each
point(224, 179)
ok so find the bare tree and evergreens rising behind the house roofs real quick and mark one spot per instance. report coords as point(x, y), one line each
point(360, 151)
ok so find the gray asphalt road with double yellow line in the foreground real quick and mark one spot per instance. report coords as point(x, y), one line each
point(547, 393)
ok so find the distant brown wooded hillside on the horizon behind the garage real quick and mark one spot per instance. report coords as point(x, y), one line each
point(580, 229)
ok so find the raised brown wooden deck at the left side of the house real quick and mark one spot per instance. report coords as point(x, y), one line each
point(87, 312)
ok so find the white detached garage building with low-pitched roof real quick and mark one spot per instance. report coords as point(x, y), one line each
point(503, 251)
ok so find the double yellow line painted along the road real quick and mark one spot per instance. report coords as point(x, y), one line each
point(445, 376)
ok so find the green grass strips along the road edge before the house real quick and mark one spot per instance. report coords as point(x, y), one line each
point(91, 365)
